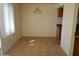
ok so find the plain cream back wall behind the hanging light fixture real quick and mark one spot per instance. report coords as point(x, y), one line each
point(40, 25)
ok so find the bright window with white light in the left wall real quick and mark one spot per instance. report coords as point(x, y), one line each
point(8, 14)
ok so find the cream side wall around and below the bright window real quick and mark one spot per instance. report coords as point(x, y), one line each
point(11, 40)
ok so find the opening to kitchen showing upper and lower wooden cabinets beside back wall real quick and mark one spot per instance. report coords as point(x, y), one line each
point(59, 23)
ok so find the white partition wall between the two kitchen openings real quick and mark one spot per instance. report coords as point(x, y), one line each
point(68, 27)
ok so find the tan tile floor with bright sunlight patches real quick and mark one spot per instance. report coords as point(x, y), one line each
point(36, 46)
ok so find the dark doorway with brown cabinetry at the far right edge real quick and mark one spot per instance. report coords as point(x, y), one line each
point(76, 42)
